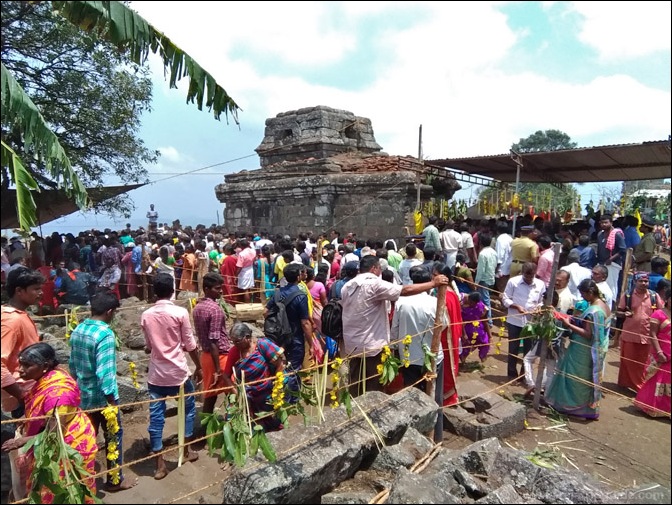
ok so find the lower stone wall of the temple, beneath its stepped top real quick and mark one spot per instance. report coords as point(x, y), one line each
point(318, 203)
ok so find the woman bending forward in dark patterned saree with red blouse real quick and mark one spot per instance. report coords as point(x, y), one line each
point(257, 359)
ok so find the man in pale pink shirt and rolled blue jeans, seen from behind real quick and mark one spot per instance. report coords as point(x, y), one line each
point(168, 334)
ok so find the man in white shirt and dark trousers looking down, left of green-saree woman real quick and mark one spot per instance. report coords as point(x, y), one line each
point(523, 294)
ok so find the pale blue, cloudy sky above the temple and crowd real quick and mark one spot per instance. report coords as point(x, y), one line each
point(478, 76)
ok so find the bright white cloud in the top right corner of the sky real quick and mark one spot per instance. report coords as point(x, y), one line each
point(626, 29)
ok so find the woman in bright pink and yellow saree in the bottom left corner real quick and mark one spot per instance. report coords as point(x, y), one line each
point(54, 391)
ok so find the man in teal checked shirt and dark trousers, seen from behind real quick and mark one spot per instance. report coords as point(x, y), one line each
point(93, 365)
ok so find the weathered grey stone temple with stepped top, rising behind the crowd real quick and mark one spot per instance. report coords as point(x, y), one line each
point(322, 169)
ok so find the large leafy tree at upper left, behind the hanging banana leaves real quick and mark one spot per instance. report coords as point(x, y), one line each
point(90, 94)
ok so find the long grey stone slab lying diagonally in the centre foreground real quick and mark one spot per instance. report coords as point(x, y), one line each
point(331, 452)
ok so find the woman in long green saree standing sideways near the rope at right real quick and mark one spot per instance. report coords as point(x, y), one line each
point(575, 388)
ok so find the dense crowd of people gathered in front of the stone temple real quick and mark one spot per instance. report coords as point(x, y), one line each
point(387, 292)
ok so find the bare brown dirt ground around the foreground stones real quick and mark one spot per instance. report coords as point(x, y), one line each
point(623, 448)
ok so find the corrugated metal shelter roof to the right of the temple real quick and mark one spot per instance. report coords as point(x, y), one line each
point(622, 162)
